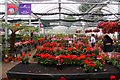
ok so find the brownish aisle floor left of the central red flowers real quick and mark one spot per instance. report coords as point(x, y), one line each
point(8, 66)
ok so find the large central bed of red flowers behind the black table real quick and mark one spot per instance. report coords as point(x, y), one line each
point(64, 53)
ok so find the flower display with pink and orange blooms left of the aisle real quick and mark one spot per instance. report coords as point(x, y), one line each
point(21, 47)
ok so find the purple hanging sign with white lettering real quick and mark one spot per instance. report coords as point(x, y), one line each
point(24, 9)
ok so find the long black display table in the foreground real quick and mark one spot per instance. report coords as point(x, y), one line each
point(43, 72)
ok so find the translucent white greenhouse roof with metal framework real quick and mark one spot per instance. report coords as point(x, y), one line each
point(56, 10)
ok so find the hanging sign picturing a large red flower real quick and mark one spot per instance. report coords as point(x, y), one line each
point(12, 9)
